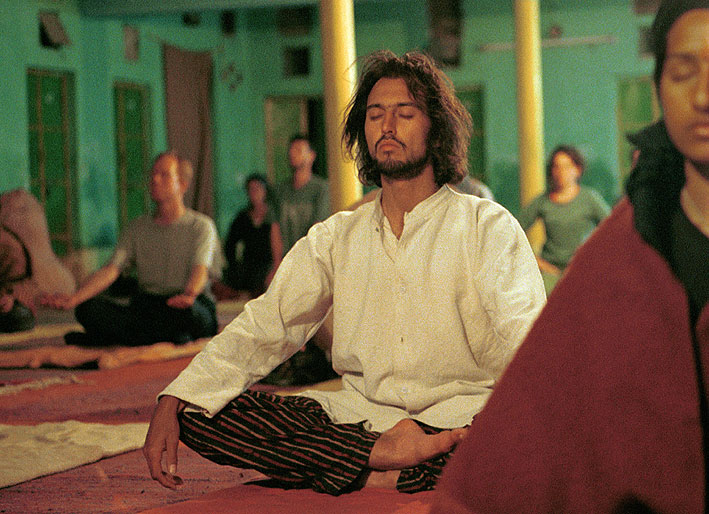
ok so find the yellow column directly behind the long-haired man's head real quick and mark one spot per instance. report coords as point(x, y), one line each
point(339, 79)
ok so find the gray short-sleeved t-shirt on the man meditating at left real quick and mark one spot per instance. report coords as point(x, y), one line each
point(164, 255)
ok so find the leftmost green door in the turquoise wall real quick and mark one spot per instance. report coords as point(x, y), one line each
point(50, 97)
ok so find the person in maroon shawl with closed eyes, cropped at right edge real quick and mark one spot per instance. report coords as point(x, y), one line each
point(604, 407)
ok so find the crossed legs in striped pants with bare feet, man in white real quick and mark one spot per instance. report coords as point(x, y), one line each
point(292, 440)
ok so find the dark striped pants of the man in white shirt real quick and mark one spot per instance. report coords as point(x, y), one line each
point(292, 440)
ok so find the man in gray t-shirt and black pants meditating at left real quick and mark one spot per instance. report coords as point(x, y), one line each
point(173, 252)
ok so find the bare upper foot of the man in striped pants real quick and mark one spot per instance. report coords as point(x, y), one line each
point(406, 445)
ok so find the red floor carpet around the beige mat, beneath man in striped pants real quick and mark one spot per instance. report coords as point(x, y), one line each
point(122, 484)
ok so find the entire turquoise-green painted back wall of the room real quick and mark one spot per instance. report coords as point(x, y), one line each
point(580, 88)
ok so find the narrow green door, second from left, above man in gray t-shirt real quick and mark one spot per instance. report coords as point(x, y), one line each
point(130, 103)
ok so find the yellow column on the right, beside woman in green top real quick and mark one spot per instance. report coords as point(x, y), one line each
point(530, 109)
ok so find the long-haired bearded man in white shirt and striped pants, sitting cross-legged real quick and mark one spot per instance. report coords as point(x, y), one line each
point(431, 293)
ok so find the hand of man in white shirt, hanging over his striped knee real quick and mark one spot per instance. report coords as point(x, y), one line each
point(164, 437)
